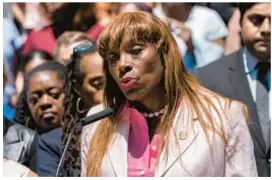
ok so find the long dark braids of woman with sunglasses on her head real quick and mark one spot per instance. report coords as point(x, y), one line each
point(72, 115)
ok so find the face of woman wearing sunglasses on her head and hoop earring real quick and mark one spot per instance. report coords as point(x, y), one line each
point(91, 66)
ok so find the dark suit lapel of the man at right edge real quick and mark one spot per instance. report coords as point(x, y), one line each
point(239, 82)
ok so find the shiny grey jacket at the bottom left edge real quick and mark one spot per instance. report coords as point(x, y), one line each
point(19, 143)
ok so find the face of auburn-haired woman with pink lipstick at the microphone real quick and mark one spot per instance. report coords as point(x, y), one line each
point(137, 69)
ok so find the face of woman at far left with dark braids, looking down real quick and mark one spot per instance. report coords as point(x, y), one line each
point(45, 99)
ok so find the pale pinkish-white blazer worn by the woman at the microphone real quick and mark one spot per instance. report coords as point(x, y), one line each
point(189, 156)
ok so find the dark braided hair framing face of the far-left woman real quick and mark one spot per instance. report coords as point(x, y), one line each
point(23, 114)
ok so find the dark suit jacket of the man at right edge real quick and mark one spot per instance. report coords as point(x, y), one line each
point(227, 77)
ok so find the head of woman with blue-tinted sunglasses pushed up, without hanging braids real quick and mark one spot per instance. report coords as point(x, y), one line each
point(87, 73)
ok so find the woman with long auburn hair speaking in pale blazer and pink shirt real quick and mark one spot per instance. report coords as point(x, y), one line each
point(164, 122)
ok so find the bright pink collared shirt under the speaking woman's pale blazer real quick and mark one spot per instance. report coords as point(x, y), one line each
point(142, 155)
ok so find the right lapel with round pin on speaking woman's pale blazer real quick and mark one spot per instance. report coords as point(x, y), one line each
point(182, 135)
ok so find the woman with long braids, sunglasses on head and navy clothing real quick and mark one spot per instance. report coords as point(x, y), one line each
point(87, 80)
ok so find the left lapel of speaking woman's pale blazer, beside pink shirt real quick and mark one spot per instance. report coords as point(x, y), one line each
point(119, 148)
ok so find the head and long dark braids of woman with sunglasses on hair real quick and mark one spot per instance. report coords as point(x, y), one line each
point(86, 73)
